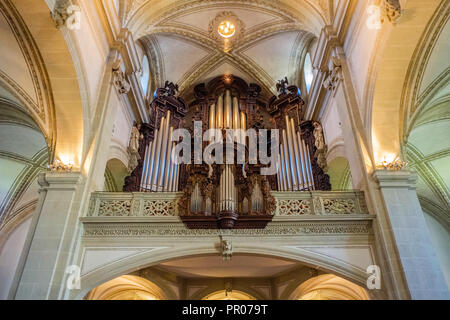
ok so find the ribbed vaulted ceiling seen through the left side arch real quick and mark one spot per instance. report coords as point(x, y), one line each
point(23, 154)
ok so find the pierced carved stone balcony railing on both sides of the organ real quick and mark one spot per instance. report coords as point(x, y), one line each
point(289, 204)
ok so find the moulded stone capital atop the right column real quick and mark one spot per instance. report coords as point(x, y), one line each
point(396, 179)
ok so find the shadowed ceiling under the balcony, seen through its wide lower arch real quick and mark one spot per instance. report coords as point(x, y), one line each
point(239, 266)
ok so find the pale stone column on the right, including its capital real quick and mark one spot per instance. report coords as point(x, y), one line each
point(420, 264)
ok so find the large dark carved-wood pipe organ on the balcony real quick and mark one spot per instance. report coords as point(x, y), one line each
point(227, 194)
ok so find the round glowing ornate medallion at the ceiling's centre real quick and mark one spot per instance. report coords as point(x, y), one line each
point(226, 29)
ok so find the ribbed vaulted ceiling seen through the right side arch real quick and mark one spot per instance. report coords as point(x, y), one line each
point(427, 119)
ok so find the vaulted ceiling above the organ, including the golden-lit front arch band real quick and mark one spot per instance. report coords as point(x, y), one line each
point(184, 49)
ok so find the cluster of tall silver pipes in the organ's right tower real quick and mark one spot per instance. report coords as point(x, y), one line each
point(294, 171)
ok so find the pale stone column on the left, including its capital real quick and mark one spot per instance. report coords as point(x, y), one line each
point(49, 236)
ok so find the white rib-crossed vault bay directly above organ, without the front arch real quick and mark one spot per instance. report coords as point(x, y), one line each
point(266, 51)
